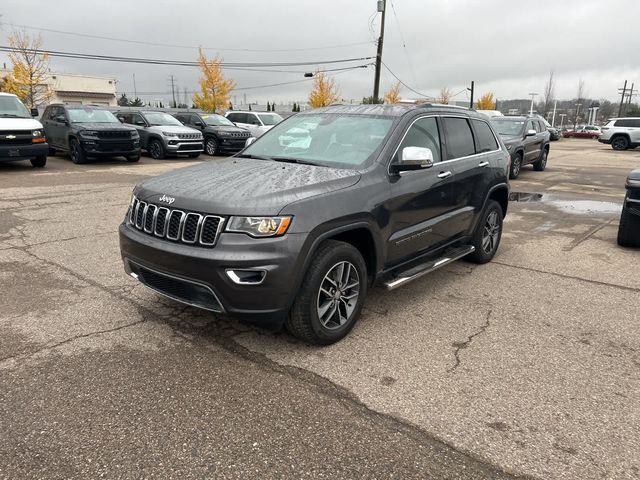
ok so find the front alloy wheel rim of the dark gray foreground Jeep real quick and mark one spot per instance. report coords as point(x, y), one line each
point(338, 295)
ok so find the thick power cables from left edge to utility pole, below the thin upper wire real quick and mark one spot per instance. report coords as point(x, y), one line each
point(149, 61)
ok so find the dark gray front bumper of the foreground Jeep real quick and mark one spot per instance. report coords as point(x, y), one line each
point(265, 303)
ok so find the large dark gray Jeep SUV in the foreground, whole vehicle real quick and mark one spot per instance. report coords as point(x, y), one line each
point(296, 232)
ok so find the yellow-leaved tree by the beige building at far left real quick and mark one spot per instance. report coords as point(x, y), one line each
point(30, 65)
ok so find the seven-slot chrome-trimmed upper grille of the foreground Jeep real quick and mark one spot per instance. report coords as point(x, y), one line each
point(175, 225)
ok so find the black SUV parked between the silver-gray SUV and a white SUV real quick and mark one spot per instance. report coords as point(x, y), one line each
point(220, 134)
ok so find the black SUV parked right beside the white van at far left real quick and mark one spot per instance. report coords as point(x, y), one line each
point(86, 131)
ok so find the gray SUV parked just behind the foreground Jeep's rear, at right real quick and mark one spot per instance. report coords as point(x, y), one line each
point(526, 139)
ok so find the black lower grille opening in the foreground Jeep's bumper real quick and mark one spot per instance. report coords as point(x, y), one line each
point(182, 290)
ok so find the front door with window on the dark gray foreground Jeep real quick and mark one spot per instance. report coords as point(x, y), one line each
point(421, 201)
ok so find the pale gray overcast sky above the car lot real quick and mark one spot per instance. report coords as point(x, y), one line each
point(506, 46)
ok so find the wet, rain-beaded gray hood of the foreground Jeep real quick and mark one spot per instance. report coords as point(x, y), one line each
point(242, 186)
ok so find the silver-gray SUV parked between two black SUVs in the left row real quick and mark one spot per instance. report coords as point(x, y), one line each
point(161, 134)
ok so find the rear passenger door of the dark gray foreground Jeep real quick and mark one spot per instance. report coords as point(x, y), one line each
point(473, 173)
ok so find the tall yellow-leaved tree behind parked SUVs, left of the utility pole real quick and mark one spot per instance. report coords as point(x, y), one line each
point(215, 88)
